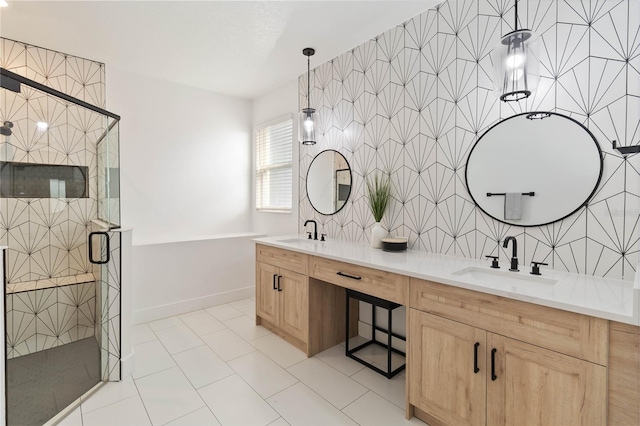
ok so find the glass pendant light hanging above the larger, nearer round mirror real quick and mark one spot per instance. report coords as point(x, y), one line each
point(516, 64)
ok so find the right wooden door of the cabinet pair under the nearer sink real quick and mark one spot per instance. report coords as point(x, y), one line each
point(536, 386)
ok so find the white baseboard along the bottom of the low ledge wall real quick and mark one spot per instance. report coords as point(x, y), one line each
point(184, 306)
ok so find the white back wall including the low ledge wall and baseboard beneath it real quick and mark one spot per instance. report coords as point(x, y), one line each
point(185, 176)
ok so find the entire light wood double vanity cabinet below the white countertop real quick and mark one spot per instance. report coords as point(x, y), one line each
point(472, 358)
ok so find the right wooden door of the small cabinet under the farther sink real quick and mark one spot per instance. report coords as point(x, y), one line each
point(294, 304)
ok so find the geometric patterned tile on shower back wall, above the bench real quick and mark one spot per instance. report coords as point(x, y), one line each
point(48, 237)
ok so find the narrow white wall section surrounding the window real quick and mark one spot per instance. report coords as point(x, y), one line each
point(277, 103)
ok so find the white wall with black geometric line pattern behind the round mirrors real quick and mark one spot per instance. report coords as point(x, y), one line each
point(413, 101)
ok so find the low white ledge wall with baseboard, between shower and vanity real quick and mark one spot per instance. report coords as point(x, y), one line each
point(192, 275)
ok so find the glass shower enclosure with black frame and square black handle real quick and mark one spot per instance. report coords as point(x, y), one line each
point(59, 215)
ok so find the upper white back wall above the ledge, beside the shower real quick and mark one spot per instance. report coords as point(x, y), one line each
point(185, 158)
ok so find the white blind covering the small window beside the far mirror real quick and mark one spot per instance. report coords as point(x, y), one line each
point(274, 154)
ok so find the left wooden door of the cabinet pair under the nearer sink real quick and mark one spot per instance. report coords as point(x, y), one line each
point(444, 383)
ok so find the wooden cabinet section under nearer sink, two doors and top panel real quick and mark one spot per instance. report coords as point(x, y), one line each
point(469, 368)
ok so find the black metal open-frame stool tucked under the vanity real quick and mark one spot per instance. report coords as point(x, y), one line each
point(389, 306)
